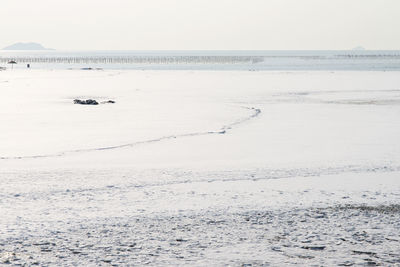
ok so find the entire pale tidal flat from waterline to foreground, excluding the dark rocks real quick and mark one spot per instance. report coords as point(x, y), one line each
point(204, 168)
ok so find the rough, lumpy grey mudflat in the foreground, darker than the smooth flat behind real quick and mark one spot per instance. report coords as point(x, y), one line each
point(343, 235)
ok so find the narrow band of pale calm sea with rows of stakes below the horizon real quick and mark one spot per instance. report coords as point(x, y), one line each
point(382, 60)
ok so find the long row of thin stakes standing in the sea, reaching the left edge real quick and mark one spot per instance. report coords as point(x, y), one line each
point(135, 59)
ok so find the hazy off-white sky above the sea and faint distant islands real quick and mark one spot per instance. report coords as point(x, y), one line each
point(202, 24)
